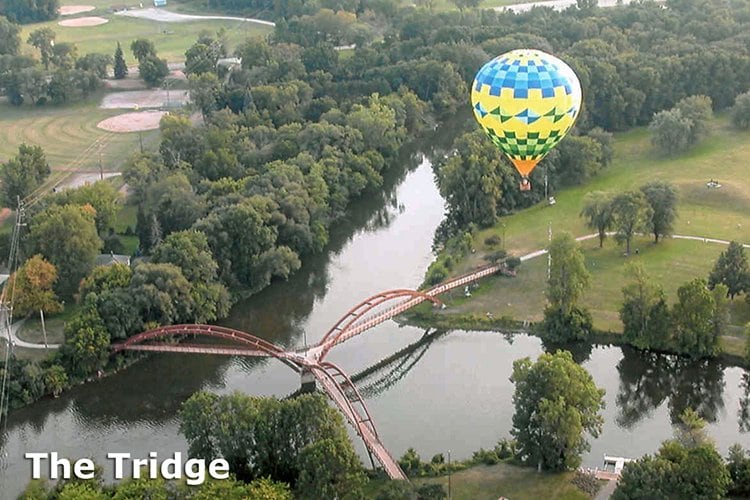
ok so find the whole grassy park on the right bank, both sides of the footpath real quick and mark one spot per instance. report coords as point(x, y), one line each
point(714, 213)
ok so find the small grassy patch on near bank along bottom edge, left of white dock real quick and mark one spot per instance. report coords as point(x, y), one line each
point(490, 482)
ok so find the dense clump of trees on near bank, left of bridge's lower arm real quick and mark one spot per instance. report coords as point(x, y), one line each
point(265, 437)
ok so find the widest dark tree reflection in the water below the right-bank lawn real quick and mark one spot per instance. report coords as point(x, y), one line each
point(648, 379)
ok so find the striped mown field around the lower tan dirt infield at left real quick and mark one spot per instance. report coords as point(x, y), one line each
point(68, 134)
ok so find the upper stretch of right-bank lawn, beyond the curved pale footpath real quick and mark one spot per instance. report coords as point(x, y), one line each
point(715, 213)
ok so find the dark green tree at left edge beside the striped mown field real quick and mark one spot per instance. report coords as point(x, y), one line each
point(21, 175)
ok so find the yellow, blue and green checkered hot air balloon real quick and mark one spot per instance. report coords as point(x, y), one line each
point(526, 101)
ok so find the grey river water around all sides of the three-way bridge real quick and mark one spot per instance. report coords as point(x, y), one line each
point(451, 392)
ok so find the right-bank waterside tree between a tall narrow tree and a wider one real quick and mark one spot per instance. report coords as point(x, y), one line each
point(641, 311)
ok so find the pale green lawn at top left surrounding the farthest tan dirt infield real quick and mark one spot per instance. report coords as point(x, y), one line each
point(171, 39)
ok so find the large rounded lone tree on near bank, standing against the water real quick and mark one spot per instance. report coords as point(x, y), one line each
point(556, 402)
